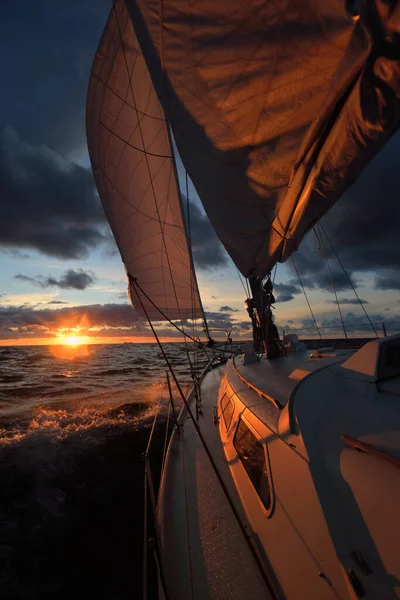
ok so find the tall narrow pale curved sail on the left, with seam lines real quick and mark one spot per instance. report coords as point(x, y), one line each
point(132, 163)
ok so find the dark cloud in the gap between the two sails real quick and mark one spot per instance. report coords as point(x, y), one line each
point(208, 251)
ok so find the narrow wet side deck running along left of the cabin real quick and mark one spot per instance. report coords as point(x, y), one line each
point(198, 525)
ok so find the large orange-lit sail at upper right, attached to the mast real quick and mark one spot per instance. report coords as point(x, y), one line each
point(276, 107)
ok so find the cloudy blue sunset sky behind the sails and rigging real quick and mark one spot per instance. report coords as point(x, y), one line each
point(60, 271)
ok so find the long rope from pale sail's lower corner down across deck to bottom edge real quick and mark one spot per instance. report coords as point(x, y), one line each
point(246, 535)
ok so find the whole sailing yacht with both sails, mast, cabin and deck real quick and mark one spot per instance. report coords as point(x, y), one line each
point(281, 478)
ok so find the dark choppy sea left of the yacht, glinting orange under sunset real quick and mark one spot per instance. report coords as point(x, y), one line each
point(74, 423)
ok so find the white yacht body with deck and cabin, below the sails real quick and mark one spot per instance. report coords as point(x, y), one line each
point(331, 514)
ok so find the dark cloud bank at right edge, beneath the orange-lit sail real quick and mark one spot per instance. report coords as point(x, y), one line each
point(363, 227)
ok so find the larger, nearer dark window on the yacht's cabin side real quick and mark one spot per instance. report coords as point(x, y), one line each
point(252, 455)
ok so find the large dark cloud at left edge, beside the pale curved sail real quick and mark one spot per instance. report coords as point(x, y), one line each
point(47, 203)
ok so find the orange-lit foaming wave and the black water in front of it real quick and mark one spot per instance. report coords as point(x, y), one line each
point(71, 500)
